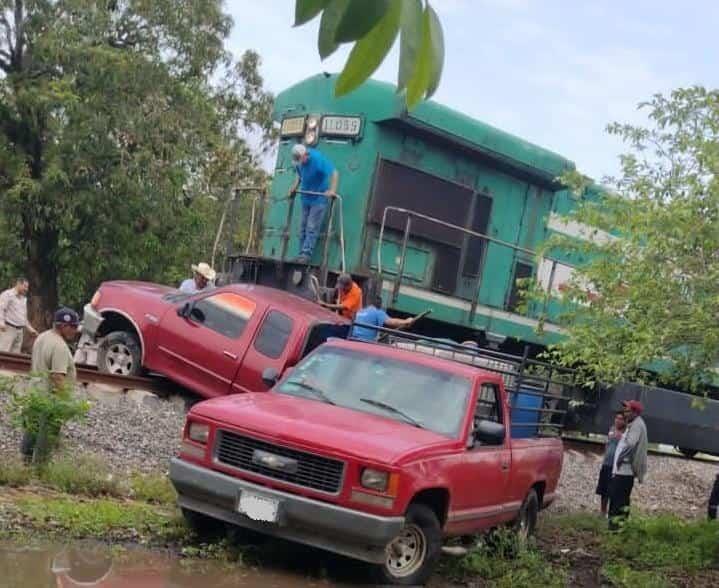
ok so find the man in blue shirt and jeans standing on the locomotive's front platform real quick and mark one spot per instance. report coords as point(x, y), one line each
point(317, 182)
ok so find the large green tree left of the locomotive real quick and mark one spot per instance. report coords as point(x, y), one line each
point(121, 125)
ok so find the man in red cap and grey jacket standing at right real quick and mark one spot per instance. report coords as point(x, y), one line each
point(630, 462)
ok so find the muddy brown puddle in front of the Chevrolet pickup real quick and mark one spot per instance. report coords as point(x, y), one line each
point(93, 565)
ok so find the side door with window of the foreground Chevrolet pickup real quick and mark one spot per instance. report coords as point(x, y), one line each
point(481, 491)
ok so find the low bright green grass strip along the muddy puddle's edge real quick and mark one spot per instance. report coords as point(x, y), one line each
point(101, 518)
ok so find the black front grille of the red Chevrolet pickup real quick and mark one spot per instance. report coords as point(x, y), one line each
point(312, 471)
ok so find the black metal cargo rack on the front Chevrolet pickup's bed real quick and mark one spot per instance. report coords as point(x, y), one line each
point(534, 387)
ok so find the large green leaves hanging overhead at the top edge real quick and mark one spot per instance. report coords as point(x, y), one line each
point(373, 26)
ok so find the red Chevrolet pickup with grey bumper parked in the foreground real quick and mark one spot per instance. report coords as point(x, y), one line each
point(369, 451)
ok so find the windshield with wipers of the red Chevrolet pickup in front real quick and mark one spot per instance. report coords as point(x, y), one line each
point(411, 393)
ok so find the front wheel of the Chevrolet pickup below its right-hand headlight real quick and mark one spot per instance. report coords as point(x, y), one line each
point(413, 554)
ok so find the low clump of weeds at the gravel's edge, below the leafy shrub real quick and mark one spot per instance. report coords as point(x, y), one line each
point(85, 475)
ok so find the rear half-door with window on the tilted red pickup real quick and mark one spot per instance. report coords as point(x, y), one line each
point(274, 345)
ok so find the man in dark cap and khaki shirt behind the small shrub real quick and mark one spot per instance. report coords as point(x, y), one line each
point(52, 356)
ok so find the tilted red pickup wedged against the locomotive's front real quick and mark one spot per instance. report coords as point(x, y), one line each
point(214, 342)
